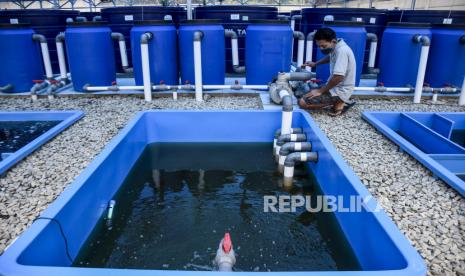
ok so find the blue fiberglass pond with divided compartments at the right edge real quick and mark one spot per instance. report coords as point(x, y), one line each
point(437, 140)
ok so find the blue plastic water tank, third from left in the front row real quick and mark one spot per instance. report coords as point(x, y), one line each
point(162, 51)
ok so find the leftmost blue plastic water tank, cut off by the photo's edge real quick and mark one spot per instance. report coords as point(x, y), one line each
point(20, 57)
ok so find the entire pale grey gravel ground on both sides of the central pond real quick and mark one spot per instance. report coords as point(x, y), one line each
point(427, 211)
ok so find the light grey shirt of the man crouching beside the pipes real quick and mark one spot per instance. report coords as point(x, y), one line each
point(342, 62)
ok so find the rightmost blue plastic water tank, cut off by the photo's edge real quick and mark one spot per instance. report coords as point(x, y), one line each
point(446, 60)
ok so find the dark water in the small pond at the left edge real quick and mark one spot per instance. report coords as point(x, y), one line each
point(16, 134)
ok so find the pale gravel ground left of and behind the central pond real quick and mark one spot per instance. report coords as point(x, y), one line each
point(36, 181)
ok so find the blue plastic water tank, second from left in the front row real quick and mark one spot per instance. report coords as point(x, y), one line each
point(90, 54)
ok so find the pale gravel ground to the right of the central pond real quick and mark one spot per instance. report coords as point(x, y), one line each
point(427, 211)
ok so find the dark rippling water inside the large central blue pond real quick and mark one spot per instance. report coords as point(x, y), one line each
point(170, 214)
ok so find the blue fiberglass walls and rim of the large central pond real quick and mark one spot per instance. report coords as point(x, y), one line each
point(378, 245)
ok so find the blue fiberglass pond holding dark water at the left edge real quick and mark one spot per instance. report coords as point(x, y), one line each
point(24, 132)
